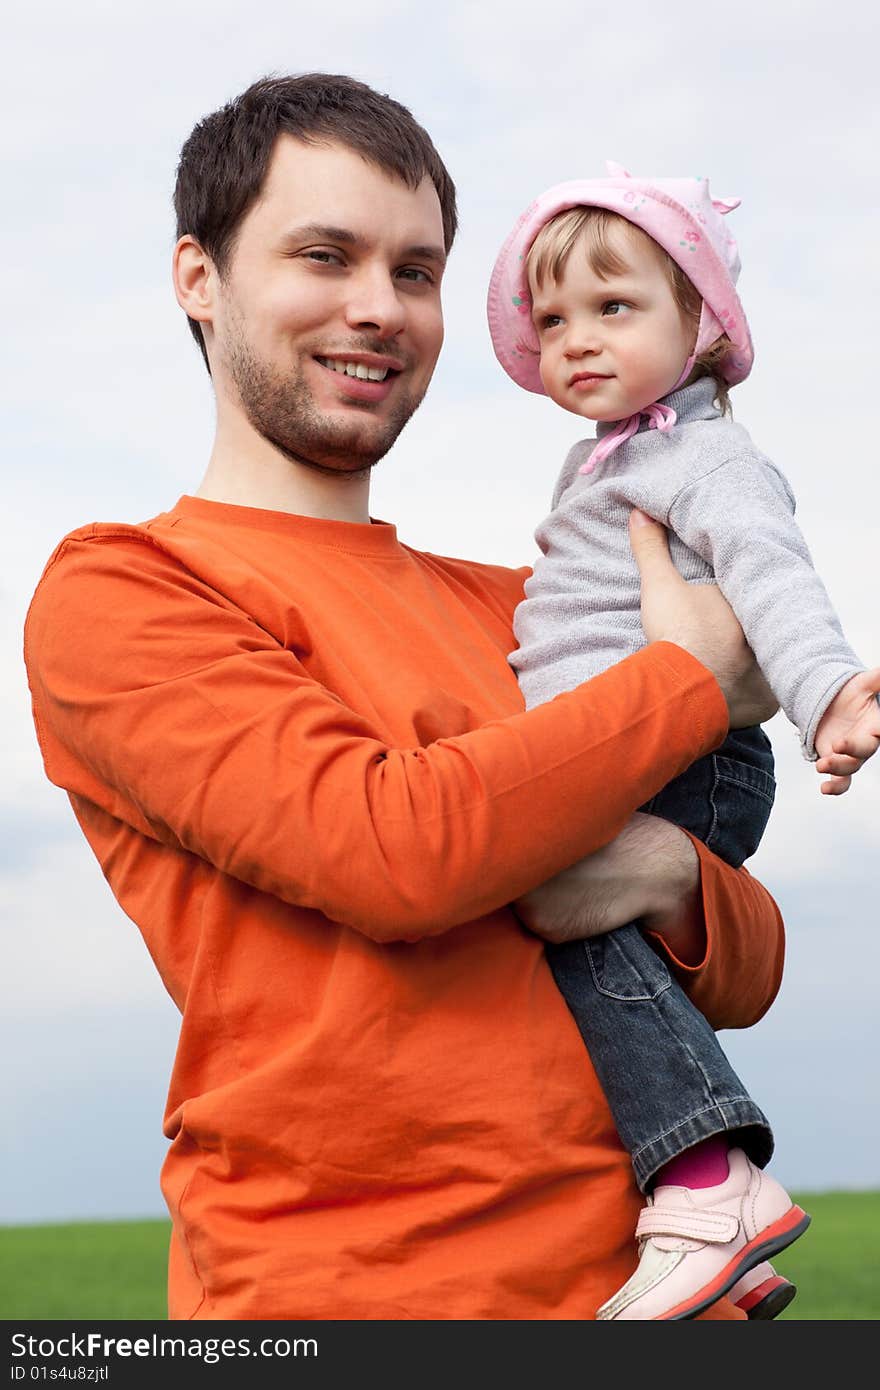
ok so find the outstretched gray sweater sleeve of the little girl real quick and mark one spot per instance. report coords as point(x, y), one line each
point(740, 519)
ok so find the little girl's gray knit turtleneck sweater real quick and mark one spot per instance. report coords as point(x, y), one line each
point(731, 515)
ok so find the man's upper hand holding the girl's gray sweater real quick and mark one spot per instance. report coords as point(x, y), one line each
point(699, 618)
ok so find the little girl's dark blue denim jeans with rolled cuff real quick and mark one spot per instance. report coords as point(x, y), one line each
point(662, 1070)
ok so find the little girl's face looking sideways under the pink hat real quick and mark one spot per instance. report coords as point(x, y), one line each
point(611, 347)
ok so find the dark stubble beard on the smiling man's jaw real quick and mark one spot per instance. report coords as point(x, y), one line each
point(283, 411)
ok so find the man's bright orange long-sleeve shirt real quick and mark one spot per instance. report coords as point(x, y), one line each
point(301, 757)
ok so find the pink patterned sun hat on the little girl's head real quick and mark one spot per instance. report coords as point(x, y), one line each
point(679, 215)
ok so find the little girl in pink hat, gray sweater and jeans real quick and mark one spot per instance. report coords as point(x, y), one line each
point(617, 298)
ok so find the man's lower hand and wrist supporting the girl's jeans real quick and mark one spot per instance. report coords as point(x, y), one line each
point(651, 872)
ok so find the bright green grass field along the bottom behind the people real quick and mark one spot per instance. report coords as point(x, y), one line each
point(117, 1270)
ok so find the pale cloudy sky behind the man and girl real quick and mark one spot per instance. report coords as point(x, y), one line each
point(108, 416)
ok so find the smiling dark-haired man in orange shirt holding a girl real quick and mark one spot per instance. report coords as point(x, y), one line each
point(301, 757)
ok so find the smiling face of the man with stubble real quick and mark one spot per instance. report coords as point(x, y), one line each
point(327, 323)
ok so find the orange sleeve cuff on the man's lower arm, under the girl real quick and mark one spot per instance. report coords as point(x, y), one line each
point(735, 967)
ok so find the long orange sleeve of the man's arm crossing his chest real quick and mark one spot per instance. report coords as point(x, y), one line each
point(162, 703)
